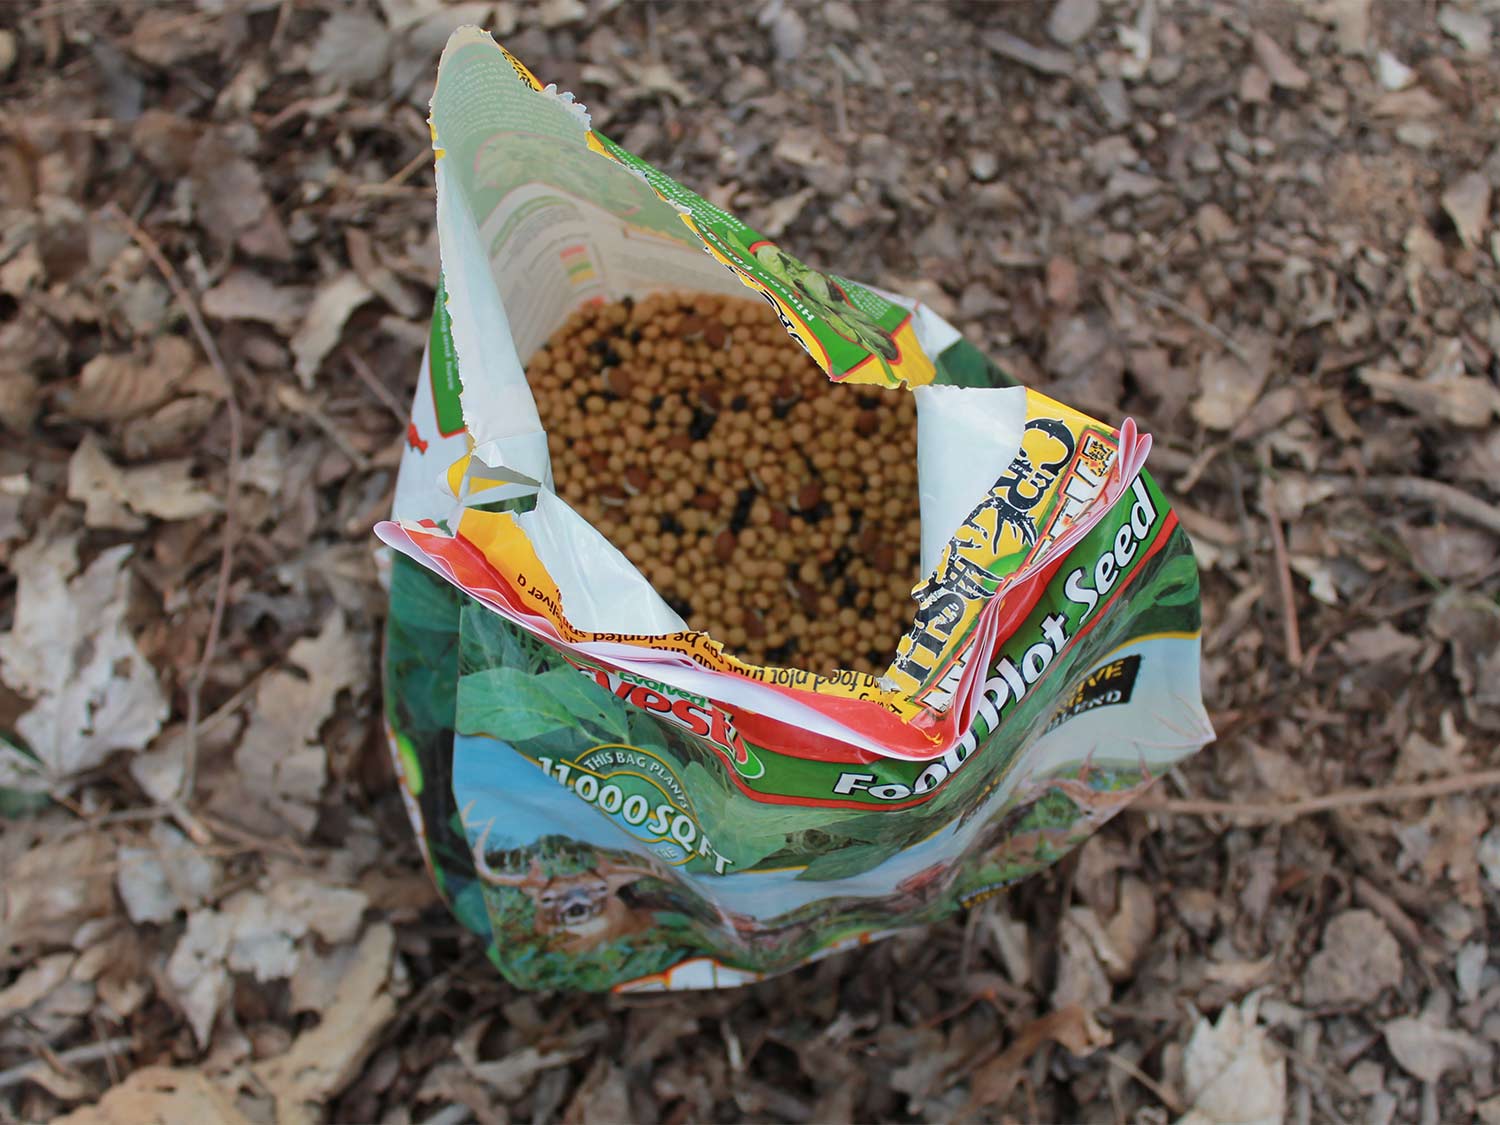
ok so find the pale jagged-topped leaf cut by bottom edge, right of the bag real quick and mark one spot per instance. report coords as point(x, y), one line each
point(1232, 1073)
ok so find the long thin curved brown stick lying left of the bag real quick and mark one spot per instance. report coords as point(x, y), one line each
point(221, 593)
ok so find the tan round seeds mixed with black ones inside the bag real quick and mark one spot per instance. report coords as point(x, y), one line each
point(772, 508)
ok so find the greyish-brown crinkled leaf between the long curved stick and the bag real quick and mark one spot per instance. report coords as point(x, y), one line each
point(281, 763)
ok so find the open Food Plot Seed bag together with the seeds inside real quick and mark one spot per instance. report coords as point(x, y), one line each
point(707, 658)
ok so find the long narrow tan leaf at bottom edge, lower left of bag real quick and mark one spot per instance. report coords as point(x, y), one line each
point(325, 1060)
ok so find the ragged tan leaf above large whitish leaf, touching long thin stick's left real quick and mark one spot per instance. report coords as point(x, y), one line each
point(110, 494)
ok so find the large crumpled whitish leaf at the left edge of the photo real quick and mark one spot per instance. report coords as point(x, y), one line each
point(71, 655)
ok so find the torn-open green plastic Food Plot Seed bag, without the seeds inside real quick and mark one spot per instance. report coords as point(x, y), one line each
point(614, 800)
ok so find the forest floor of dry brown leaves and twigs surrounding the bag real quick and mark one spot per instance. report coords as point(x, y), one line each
point(1265, 232)
